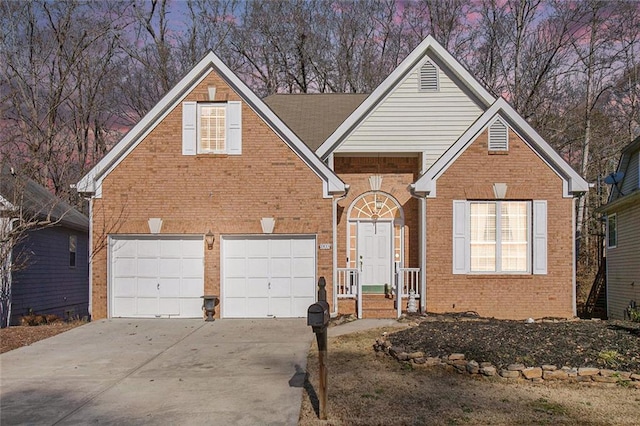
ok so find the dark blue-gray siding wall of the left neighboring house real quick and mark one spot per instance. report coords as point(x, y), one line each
point(47, 284)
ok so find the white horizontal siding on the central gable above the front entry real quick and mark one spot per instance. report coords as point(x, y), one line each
point(410, 120)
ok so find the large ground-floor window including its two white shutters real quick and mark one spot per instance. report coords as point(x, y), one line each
point(499, 237)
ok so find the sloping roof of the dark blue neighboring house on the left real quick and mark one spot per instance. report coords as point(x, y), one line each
point(18, 191)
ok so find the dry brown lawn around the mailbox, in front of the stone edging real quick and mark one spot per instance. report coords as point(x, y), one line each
point(370, 388)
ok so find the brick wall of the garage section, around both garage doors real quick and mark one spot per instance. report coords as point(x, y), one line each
point(224, 194)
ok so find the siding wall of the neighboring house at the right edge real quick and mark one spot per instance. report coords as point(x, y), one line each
point(623, 263)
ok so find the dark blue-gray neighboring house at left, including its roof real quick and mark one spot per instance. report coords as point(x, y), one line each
point(46, 255)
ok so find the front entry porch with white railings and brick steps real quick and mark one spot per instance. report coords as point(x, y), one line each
point(354, 297)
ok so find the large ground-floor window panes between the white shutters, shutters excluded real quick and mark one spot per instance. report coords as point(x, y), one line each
point(499, 236)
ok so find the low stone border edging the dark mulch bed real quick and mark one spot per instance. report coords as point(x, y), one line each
point(457, 362)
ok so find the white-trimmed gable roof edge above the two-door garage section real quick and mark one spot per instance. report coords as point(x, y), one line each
point(91, 182)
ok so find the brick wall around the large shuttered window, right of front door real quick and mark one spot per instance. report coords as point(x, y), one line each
point(471, 177)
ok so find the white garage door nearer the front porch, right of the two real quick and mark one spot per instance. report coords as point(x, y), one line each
point(268, 276)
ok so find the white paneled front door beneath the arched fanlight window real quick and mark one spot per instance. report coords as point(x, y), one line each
point(374, 251)
